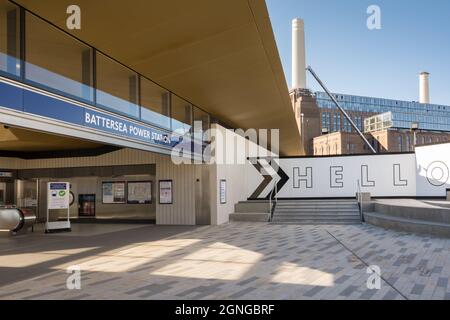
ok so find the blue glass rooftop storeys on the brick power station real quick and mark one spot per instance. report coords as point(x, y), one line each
point(429, 116)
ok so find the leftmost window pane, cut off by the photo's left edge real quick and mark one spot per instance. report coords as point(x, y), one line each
point(9, 38)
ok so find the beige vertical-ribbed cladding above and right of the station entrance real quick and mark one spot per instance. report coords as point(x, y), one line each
point(181, 212)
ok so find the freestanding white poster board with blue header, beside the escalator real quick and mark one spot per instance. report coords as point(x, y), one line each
point(58, 198)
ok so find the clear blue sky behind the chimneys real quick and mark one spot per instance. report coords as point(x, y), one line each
point(415, 37)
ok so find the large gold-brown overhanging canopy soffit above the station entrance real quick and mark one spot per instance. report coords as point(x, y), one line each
point(219, 55)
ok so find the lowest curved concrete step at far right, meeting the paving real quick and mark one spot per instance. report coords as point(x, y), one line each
point(408, 225)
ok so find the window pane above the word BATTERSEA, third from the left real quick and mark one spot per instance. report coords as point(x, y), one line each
point(117, 86)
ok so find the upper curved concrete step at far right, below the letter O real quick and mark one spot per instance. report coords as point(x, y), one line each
point(439, 215)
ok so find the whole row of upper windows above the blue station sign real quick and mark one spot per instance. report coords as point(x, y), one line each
point(55, 61)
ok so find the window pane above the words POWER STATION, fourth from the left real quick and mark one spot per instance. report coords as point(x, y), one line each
point(155, 104)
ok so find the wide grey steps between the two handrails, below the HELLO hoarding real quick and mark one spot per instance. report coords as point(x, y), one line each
point(317, 212)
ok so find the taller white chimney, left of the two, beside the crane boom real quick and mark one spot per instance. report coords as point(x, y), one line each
point(298, 54)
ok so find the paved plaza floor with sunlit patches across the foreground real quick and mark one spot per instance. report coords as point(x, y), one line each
point(235, 261)
